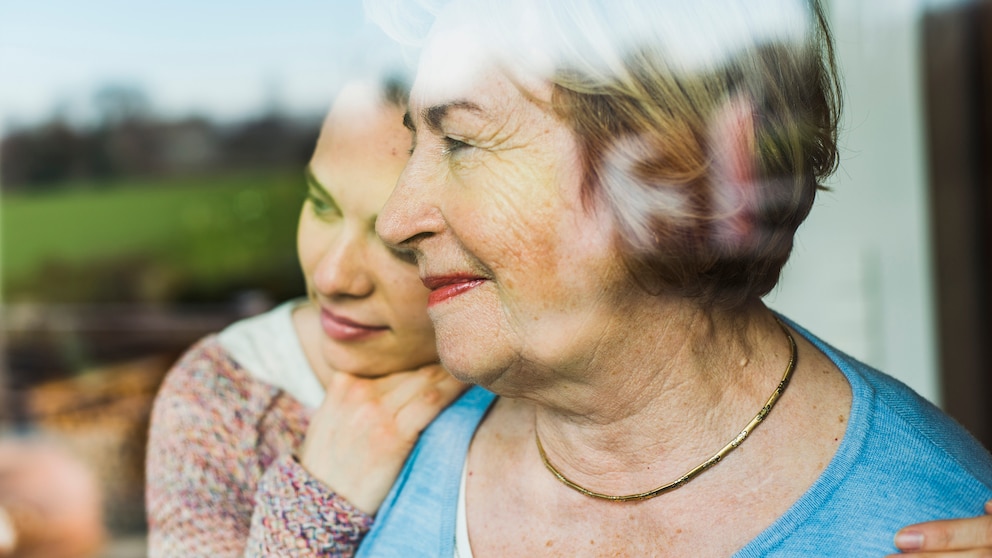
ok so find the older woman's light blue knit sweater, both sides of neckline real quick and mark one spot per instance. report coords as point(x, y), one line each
point(901, 461)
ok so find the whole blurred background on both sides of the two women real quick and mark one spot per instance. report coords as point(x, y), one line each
point(151, 177)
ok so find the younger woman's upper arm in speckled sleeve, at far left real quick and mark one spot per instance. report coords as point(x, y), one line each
point(202, 451)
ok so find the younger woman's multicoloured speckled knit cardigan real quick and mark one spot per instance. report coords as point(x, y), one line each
point(221, 476)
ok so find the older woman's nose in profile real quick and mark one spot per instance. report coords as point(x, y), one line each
point(410, 214)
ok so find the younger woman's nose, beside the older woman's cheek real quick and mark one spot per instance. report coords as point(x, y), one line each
point(343, 269)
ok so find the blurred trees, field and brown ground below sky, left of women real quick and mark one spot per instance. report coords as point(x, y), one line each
point(123, 240)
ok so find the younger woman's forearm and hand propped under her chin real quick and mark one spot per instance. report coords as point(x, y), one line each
point(356, 443)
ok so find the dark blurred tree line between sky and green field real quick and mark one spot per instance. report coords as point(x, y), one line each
point(128, 139)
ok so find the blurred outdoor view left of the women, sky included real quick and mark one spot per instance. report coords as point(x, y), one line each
point(151, 175)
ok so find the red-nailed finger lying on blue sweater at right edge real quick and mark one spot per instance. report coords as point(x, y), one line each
point(956, 534)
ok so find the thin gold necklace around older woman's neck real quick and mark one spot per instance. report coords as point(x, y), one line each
point(717, 457)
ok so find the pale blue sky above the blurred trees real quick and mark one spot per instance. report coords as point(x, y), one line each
point(223, 58)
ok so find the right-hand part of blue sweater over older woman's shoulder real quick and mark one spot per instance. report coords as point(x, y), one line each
point(902, 461)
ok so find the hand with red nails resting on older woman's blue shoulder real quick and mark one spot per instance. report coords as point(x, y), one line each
point(971, 537)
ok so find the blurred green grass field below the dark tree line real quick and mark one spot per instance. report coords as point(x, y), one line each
point(207, 231)
